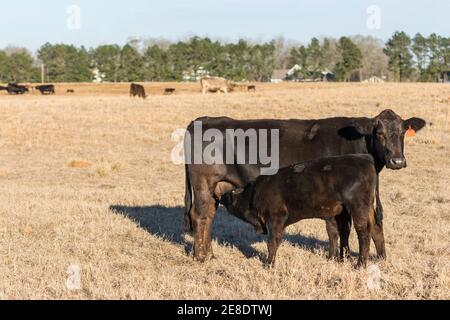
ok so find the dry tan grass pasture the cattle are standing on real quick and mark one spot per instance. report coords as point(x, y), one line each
point(87, 180)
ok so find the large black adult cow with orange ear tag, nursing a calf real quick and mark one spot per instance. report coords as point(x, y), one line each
point(299, 141)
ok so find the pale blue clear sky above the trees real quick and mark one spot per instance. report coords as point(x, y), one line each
point(32, 23)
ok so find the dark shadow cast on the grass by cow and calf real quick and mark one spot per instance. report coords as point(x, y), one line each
point(227, 230)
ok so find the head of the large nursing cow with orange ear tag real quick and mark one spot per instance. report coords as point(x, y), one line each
point(388, 136)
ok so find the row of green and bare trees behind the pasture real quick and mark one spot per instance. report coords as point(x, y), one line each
point(401, 58)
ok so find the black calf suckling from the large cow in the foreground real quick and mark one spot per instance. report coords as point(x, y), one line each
point(315, 189)
